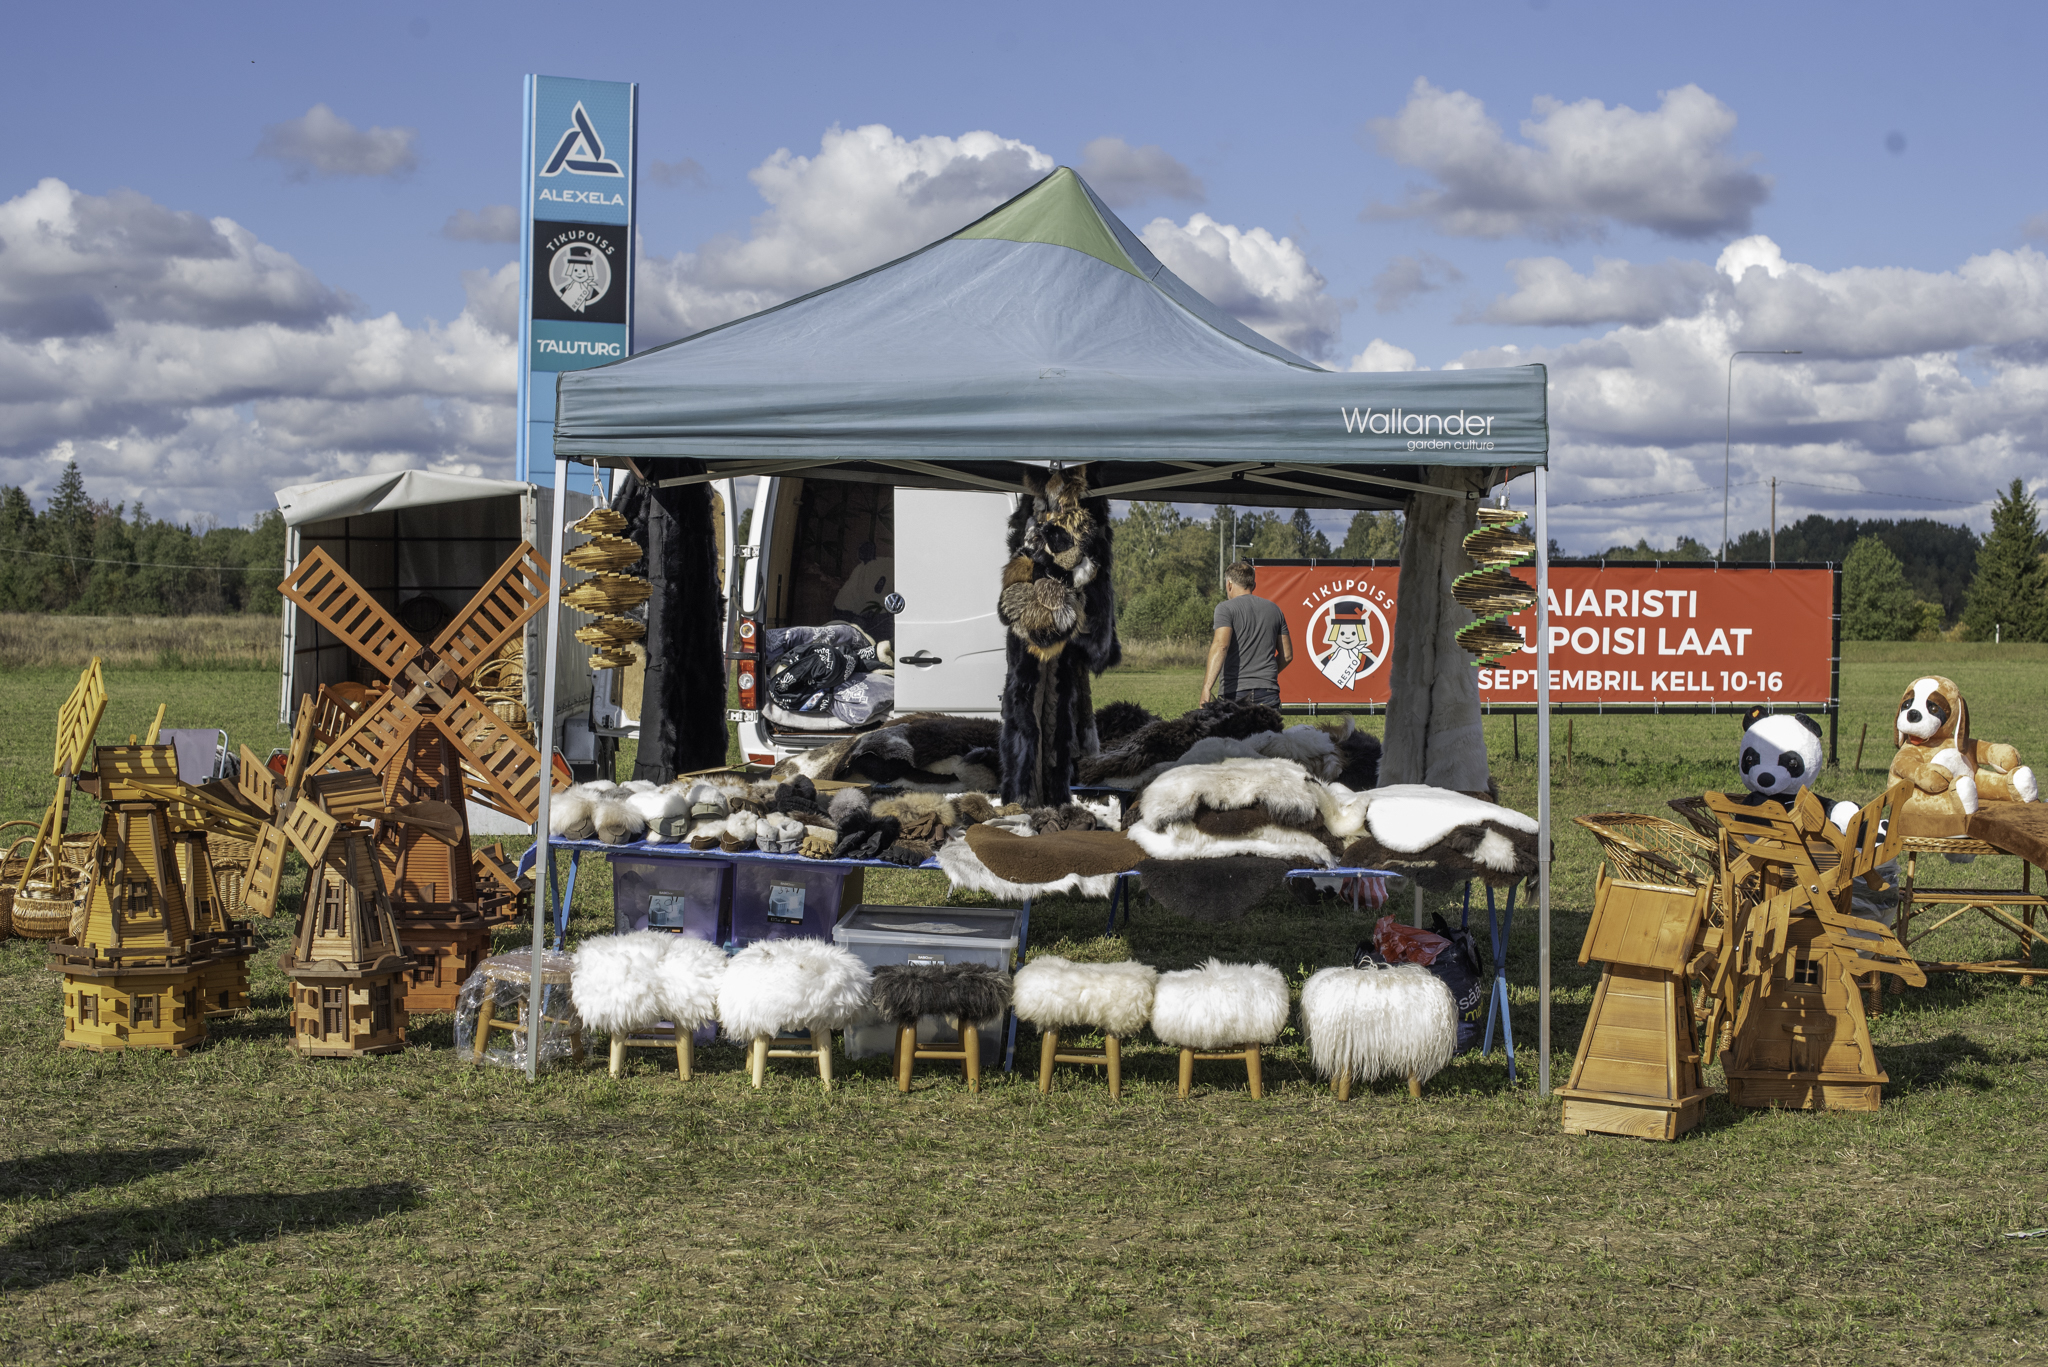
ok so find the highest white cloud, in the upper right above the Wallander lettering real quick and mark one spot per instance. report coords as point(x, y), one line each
point(1580, 167)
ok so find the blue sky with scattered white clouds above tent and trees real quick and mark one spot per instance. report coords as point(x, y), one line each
point(1875, 153)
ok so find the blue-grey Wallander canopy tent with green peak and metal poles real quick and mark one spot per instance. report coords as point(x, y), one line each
point(1048, 331)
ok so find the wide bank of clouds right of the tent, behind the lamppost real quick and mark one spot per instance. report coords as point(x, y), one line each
point(1918, 395)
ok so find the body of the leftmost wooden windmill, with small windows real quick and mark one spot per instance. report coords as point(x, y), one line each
point(134, 979)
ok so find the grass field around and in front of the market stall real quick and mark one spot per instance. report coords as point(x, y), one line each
point(249, 1206)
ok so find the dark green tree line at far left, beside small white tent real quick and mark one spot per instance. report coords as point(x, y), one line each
point(99, 561)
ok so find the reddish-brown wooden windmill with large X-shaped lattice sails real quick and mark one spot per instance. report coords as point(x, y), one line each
point(431, 739)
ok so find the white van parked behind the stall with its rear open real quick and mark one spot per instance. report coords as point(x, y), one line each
point(916, 569)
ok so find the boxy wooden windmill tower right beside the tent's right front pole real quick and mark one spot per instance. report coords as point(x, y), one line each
point(1639, 1067)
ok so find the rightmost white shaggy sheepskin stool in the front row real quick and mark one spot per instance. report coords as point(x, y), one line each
point(1379, 1024)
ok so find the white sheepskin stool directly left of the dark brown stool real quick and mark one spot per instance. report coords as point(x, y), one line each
point(806, 987)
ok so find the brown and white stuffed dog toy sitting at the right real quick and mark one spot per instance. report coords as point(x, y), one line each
point(1953, 774)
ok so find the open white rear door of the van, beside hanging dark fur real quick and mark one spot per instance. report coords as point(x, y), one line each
point(949, 561)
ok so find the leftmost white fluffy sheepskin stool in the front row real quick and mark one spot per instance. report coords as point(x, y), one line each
point(650, 991)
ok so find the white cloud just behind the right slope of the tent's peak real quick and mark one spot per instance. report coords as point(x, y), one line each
point(1265, 282)
